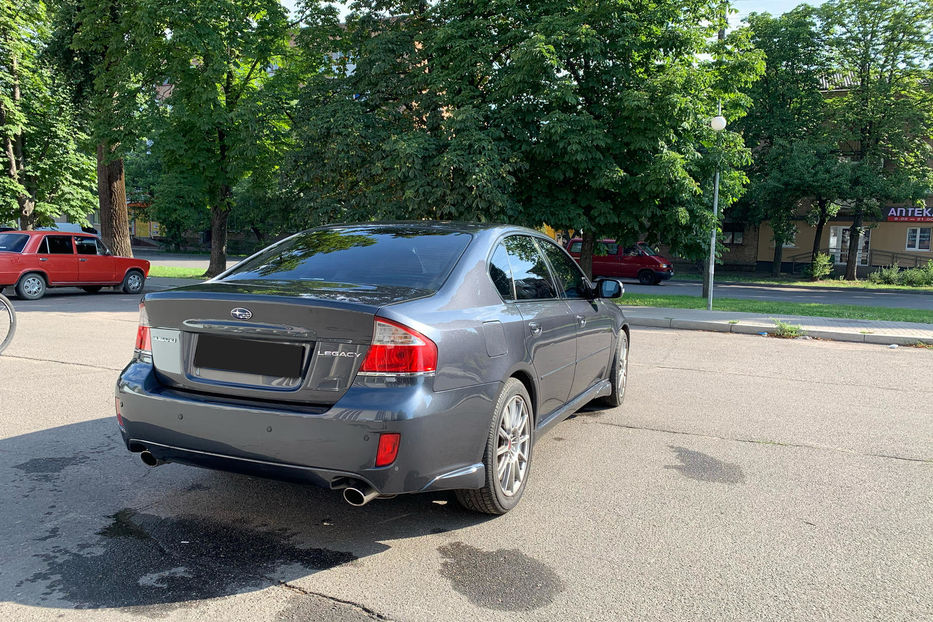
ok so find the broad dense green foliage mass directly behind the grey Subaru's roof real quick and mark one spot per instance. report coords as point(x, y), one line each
point(584, 115)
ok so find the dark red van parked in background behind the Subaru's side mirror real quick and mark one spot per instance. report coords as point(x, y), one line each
point(639, 261)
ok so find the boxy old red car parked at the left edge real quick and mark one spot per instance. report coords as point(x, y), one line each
point(33, 261)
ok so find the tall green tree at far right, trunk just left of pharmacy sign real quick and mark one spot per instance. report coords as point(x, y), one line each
point(886, 116)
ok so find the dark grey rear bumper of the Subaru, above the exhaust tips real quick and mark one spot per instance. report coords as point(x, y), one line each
point(443, 434)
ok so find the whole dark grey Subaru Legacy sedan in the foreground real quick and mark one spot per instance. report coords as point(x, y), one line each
point(376, 359)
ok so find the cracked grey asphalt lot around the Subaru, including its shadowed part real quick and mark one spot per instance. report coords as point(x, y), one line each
point(744, 478)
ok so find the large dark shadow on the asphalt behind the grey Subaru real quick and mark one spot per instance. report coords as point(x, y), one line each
point(86, 525)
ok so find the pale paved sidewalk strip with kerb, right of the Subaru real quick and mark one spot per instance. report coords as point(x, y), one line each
point(837, 329)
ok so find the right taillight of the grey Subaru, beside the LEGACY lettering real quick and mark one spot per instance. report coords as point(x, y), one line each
point(397, 349)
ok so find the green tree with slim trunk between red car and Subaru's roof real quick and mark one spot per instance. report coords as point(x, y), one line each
point(221, 118)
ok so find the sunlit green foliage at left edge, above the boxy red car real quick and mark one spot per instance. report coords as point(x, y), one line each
point(46, 174)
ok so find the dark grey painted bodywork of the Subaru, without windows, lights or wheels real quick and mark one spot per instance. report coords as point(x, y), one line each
point(325, 428)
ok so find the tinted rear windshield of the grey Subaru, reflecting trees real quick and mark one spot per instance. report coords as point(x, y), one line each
point(391, 256)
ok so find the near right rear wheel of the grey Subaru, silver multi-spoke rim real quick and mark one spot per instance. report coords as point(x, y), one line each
point(511, 434)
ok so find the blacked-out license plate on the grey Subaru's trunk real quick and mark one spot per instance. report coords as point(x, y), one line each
point(247, 356)
